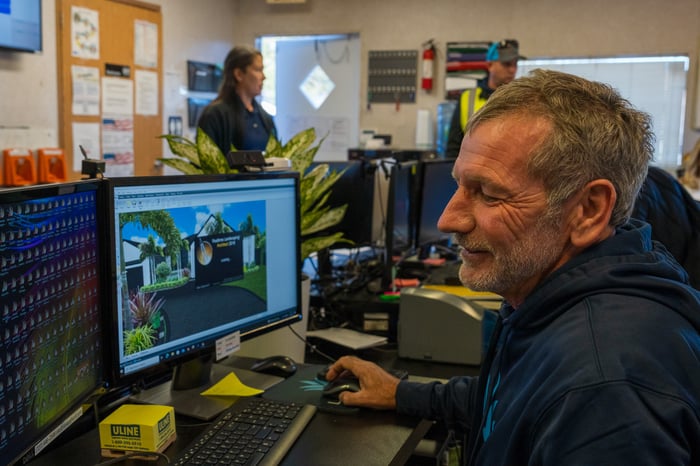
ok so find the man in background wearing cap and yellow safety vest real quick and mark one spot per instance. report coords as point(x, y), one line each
point(502, 61)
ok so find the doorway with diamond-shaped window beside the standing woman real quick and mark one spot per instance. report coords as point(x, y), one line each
point(314, 81)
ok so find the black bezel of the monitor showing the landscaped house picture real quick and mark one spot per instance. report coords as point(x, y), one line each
point(163, 370)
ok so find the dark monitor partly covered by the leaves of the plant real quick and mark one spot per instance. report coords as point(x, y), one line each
point(356, 189)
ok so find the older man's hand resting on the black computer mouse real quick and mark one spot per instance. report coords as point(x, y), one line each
point(377, 387)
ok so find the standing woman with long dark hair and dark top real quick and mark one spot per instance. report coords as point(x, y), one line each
point(235, 118)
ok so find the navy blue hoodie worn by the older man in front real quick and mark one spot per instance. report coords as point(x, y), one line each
point(599, 365)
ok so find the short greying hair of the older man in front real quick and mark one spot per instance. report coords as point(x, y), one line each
point(595, 134)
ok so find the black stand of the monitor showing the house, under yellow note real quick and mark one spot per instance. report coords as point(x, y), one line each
point(189, 401)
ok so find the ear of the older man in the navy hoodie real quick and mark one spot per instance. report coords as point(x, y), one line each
point(590, 218)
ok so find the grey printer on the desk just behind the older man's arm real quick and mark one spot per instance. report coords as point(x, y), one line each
point(444, 324)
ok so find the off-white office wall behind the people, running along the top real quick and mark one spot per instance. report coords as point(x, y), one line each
point(206, 29)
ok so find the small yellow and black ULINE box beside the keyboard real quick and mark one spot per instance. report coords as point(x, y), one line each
point(137, 428)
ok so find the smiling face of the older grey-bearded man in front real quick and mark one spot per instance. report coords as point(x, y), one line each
point(499, 214)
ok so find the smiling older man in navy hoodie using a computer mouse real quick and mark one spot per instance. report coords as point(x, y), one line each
point(596, 355)
